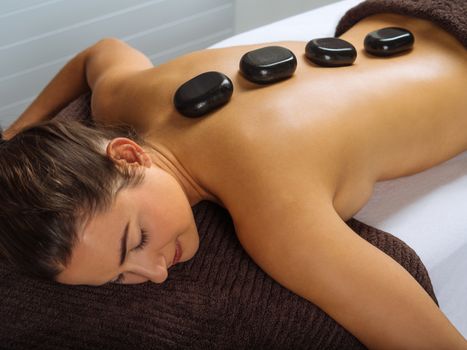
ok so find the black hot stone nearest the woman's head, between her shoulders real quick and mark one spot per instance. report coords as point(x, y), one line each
point(203, 93)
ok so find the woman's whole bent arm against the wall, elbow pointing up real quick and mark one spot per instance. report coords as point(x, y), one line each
point(82, 73)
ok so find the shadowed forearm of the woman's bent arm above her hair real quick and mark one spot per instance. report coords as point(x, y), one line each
point(69, 83)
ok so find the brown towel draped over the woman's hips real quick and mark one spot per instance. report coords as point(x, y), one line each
point(451, 15)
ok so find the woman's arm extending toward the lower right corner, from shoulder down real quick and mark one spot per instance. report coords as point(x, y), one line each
point(313, 253)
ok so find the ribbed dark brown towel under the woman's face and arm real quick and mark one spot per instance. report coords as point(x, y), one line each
point(218, 300)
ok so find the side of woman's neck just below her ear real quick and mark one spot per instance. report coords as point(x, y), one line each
point(163, 158)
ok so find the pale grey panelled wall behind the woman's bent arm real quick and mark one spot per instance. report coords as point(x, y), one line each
point(36, 40)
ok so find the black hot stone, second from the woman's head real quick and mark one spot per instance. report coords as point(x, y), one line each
point(268, 64)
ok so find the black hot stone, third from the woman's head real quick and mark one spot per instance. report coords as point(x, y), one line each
point(330, 52)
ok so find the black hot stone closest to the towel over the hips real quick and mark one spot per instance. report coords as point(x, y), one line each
point(388, 41)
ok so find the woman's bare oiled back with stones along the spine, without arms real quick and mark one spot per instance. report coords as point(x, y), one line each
point(329, 132)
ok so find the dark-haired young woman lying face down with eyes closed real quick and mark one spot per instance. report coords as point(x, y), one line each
point(291, 162)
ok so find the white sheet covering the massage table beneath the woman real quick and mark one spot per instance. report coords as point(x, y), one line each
point(426, 210)
